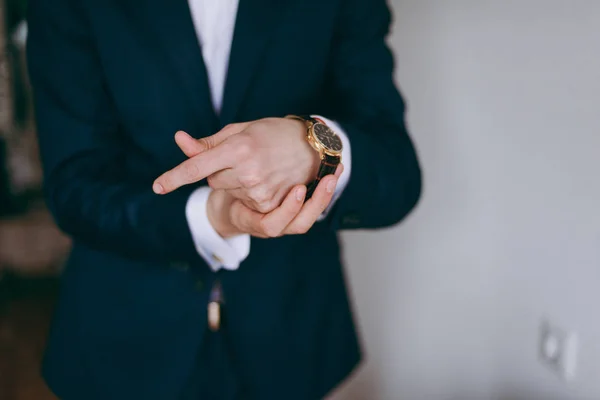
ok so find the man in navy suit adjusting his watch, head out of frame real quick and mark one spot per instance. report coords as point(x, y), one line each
point(176, 289)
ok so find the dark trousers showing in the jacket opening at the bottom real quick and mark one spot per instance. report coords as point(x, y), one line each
point(214, 376)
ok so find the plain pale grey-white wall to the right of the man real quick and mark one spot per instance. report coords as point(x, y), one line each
point(504, 105)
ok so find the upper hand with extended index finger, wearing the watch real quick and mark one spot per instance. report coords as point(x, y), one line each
point(257, 162)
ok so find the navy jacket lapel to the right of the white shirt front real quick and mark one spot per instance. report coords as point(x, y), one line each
point(255, 22)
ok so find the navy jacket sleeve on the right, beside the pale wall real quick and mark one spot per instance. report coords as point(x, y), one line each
point(385, 183)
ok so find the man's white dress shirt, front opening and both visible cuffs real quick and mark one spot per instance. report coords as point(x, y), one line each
point(214, 22)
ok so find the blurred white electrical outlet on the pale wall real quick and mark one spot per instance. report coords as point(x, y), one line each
point(558, 350)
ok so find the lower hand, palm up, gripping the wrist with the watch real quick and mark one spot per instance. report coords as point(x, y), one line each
point(230, 217)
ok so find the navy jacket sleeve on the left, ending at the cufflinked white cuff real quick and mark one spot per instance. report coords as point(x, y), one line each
point(90, 190)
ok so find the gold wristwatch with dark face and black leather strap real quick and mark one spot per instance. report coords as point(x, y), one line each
point(327, 143)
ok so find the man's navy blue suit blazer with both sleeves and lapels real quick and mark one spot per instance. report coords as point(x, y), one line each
point(113, 81)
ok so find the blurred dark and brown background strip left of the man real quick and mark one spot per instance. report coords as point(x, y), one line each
point(31, 247)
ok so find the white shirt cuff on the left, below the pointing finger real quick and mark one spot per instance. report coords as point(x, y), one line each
point(217, 251)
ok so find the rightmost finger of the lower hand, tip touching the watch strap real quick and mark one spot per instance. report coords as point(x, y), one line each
point(314, 207)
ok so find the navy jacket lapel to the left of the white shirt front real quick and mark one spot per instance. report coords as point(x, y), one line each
point(172, 23)
